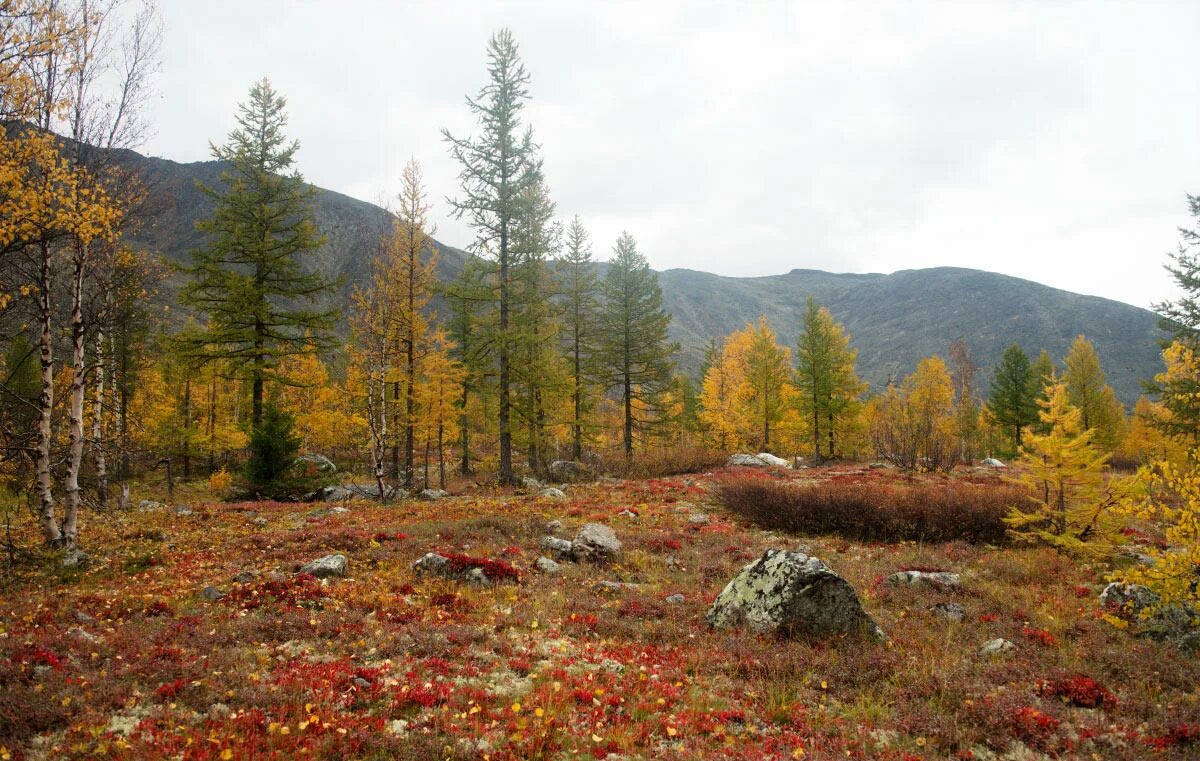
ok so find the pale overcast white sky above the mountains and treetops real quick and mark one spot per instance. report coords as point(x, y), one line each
point(1049, 141)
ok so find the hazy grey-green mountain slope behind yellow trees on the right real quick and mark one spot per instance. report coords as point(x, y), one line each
point(897, 320)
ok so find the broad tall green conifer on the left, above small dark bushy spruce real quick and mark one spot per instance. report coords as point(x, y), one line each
point(250, 278)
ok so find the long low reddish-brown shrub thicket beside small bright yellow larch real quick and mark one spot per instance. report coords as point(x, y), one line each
point(873, 512)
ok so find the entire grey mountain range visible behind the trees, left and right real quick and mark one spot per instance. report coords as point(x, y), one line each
point(893, 320)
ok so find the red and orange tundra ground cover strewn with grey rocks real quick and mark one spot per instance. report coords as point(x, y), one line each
point(574, 625)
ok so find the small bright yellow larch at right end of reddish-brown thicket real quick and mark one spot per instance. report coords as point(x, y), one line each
point(1065, 472)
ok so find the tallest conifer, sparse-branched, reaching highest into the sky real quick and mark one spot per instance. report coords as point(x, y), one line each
point(497, 167)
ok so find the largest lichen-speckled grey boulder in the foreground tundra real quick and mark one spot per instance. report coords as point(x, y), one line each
point(793, 595)
